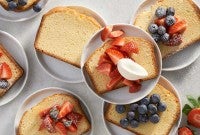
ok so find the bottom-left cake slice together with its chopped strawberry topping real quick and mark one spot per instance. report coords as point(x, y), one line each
point(31, 121)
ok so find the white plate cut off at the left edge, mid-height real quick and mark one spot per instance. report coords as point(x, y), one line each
point(16, 50)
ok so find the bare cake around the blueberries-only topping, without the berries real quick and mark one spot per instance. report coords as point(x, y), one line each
point(167, 118)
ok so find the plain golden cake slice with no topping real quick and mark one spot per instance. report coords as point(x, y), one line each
point(63, 32)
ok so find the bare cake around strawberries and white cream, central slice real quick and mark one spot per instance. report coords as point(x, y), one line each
point(145, 58)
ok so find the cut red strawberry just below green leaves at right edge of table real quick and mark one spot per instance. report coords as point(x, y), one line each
point(194, 117)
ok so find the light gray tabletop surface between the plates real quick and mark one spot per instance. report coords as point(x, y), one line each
point(113, 11)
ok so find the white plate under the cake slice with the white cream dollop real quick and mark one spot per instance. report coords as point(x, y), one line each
point(121, 95)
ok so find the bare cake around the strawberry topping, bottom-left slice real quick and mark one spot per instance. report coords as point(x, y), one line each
point(31, 121)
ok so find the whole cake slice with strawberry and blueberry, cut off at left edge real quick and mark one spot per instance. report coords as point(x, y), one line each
point(10, 71)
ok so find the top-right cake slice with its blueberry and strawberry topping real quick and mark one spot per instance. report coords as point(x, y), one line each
point(175, 25)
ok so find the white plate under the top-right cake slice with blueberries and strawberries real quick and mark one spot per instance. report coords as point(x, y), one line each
point(179, 60)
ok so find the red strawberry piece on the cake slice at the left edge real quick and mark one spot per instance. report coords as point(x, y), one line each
point(6, 71)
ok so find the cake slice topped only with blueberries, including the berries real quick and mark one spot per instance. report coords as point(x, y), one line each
point(153, 115)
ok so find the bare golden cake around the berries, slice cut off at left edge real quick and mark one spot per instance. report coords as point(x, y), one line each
point(16, 70)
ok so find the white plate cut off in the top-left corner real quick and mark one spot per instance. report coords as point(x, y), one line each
point(20, 16)
